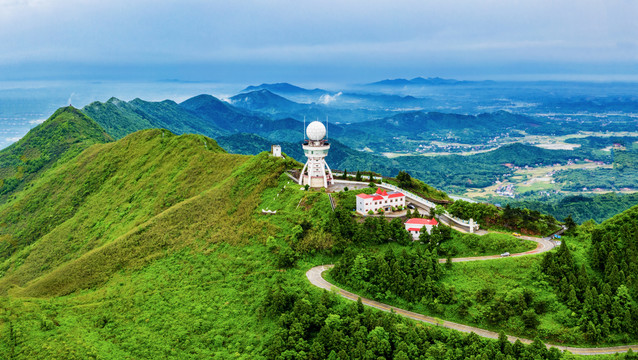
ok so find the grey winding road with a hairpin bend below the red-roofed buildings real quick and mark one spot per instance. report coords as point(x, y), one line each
point(315, 277)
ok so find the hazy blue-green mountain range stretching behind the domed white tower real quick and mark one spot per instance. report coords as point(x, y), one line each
point(278, 119)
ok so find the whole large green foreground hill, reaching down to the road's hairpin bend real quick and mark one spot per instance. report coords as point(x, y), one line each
point(154, 246)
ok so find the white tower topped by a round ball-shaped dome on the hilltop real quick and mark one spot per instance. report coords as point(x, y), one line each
point(316, 172)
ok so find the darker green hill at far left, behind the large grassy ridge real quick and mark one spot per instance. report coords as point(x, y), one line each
point(62, 136)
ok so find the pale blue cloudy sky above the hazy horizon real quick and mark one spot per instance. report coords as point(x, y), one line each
point(317, 41)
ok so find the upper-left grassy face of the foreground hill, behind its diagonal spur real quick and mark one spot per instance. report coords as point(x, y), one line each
point(107, 192)
